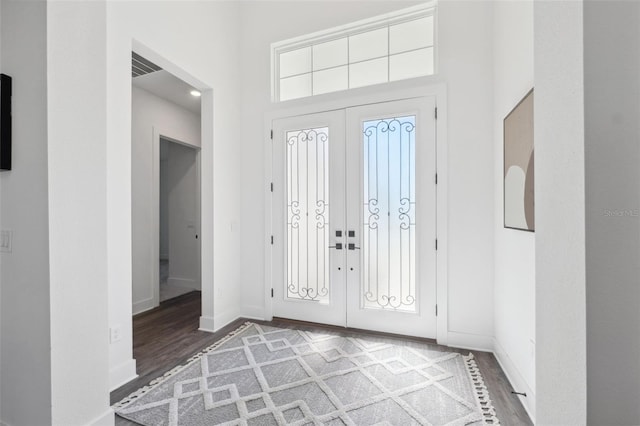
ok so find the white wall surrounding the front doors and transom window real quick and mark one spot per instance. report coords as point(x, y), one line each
point(466, 66)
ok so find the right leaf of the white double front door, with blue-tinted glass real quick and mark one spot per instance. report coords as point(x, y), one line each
point(391, 217)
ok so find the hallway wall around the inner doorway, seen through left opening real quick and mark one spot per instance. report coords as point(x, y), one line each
point(150, 112)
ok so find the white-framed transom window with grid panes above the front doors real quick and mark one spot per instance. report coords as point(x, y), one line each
point(386, 48)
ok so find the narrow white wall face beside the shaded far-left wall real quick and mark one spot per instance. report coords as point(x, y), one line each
point(77, 126)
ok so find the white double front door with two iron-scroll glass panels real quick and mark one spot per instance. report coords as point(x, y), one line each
point(354, 217)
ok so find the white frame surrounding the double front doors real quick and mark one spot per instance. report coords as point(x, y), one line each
point(308, 106)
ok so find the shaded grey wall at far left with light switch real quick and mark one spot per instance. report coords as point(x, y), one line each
point(25, 365)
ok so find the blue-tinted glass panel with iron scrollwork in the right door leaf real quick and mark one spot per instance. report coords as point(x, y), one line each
point(389, 237)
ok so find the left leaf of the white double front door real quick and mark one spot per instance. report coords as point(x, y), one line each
point(308, 210)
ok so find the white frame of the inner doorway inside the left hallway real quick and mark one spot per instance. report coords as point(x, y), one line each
point(158, 134)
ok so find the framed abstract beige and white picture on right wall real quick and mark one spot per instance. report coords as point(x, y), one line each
point(519, 202)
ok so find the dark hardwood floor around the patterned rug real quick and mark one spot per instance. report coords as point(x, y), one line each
point(168, 336)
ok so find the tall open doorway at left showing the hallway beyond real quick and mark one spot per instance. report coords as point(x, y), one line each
point(166, 141)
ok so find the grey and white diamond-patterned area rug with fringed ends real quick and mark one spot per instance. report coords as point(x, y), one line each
point(263, 375)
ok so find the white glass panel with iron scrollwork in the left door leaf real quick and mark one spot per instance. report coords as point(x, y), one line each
point(308, 213)
